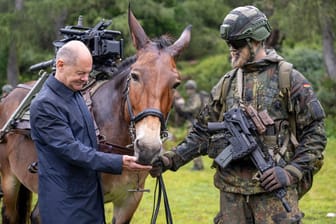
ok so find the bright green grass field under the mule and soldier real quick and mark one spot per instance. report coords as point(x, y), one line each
point(194, 199)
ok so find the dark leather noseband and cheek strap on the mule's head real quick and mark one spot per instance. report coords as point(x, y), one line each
point(147, 112)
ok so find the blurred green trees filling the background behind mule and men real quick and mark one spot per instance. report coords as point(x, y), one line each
point(36, 25)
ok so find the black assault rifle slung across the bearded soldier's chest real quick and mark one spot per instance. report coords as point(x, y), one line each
point(244, 141)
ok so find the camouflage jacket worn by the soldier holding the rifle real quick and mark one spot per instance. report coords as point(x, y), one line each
point(261, 89)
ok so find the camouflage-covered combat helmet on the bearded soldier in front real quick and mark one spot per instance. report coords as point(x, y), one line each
point(246, 22)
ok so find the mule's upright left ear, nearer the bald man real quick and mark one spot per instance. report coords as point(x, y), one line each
point(139, 37)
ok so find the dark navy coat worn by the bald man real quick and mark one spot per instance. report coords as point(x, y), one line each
point(69, 182)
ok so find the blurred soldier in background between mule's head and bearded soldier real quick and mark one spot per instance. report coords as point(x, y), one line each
point(189, 109)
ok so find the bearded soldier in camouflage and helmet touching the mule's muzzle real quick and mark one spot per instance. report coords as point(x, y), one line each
point(255, 80)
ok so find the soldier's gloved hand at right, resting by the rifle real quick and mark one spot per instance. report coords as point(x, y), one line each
point(275, 177)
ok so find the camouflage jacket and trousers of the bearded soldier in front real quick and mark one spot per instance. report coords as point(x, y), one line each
point(236, 182)
